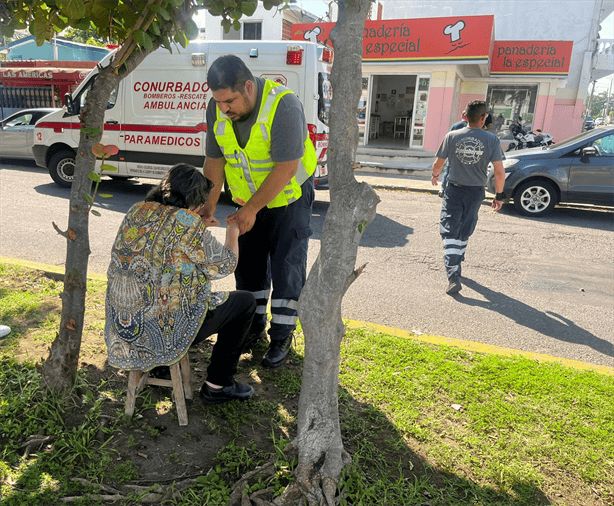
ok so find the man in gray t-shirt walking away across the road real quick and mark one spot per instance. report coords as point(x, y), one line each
point(469, 151)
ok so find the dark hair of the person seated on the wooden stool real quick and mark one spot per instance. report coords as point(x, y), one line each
point(183, 186)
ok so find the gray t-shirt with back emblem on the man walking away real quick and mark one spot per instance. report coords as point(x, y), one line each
point(469, 151)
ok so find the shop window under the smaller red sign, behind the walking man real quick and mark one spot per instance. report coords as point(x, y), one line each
point(511, 104)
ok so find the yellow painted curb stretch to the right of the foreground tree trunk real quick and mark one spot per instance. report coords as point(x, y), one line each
point(479, 347)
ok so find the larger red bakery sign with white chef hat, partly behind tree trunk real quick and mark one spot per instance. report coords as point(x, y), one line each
point(427, 39)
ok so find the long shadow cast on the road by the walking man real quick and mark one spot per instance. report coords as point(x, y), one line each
point(546, 323)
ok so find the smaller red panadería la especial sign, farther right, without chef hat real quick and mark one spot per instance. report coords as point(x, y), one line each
point(543, 57)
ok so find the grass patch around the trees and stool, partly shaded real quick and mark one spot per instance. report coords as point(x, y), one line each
point(424, 424)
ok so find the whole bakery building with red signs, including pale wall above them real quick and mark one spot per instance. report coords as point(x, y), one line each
point(531, 62)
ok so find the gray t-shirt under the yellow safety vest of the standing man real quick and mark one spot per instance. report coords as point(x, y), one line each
point(288, 132)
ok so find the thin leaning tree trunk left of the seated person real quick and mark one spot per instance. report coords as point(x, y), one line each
point(60, 368)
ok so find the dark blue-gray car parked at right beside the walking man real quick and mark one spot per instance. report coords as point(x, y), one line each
point(579, 170)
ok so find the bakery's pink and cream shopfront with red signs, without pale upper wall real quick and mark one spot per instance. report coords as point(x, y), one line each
point(418, 75)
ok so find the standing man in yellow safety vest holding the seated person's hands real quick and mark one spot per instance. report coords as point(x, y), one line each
point(269, 169)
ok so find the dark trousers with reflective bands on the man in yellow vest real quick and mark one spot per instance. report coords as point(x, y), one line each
point(275, 250)
